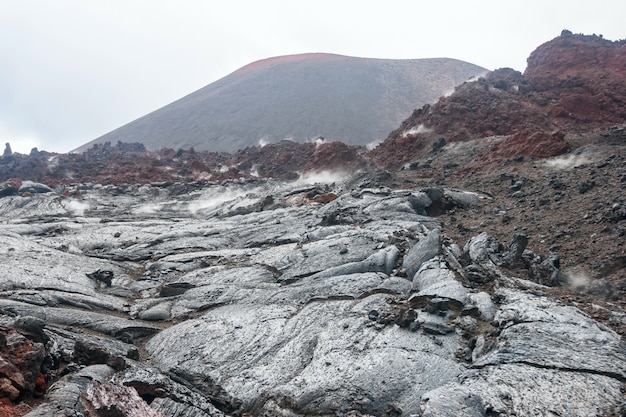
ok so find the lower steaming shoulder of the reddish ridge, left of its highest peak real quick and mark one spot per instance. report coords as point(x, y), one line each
point(489, 106)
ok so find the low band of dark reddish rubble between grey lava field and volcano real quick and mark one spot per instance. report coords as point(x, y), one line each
point(128, 163)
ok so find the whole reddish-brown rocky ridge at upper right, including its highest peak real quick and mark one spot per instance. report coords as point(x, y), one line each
point(574, 83)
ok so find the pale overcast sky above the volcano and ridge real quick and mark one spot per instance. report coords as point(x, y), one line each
point(73, 70)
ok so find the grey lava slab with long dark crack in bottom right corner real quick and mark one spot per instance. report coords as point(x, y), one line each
point(548, 359)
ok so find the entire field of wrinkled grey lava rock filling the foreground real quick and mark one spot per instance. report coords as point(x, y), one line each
point(256, 297)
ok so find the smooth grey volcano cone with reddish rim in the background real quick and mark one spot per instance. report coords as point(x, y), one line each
point(299, 97)
